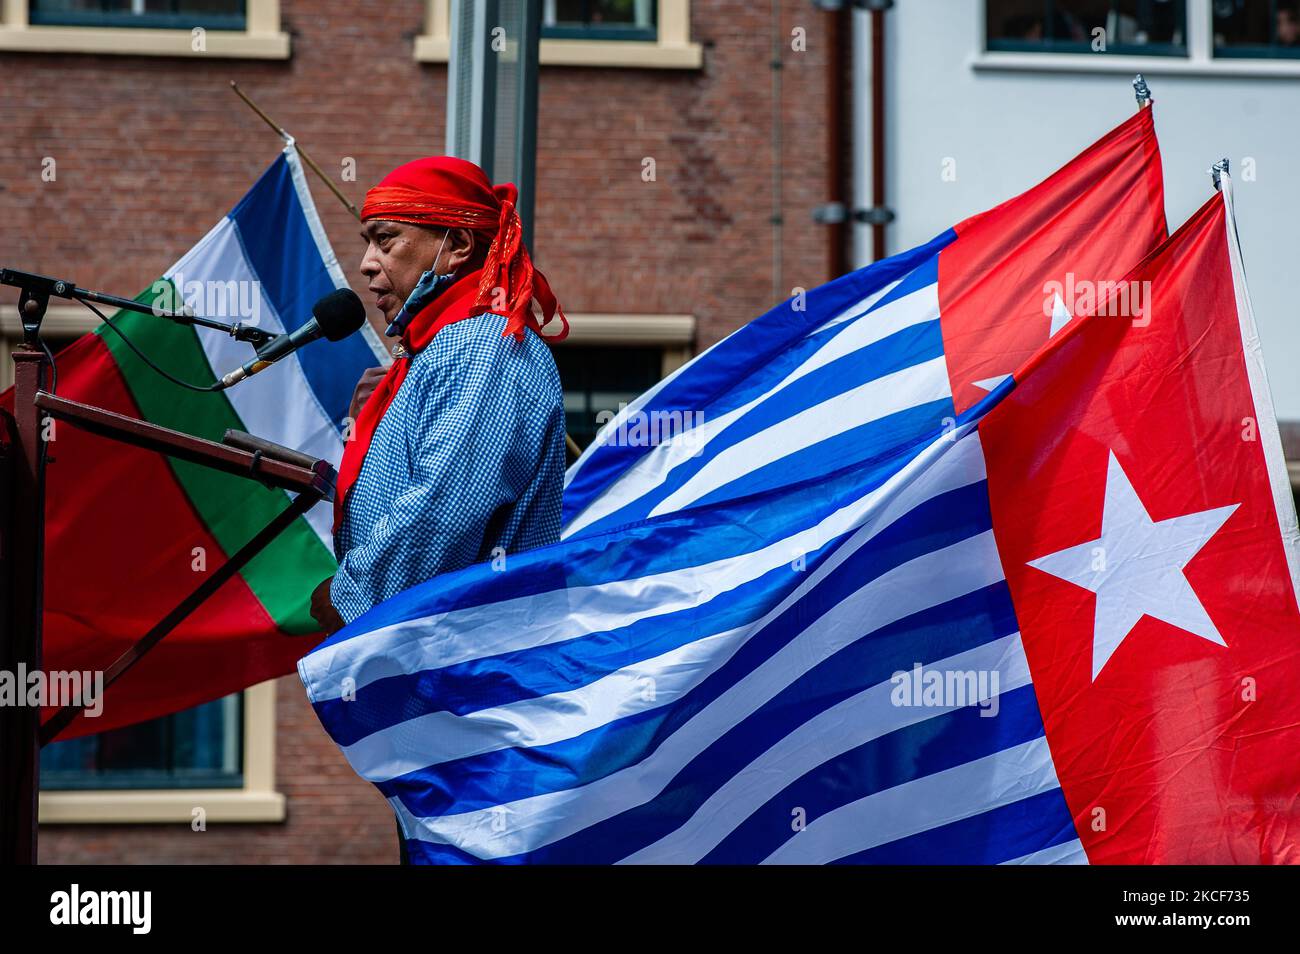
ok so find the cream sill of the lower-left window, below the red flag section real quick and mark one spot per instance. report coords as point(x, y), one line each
point(171, 806)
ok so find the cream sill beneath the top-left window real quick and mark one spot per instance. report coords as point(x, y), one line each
point(140, 42)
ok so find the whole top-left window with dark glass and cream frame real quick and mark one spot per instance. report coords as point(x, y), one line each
point(245, 29)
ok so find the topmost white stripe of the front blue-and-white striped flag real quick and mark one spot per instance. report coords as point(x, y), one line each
point(544, 619)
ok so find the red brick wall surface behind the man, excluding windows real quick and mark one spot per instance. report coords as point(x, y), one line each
point(153, 151)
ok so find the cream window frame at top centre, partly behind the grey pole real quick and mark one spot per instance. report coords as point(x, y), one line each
point(670, 50)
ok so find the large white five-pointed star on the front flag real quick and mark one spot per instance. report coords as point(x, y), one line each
point(1136, 567)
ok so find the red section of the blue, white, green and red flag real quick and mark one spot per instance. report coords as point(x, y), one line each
point(116, 517)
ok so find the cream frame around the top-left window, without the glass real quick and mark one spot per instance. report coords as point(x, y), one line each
point(261, 40)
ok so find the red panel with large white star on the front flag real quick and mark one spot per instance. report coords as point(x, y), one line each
point(1149, 535)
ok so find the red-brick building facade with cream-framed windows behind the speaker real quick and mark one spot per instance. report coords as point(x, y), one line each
point(674, 203)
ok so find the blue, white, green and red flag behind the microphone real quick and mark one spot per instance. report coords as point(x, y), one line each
point(131, 532)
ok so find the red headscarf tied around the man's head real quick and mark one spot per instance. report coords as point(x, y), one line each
point(454, 194)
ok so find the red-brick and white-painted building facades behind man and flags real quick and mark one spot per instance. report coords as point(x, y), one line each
point(691, 154)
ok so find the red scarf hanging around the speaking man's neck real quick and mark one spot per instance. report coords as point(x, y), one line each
point(454, 305)
